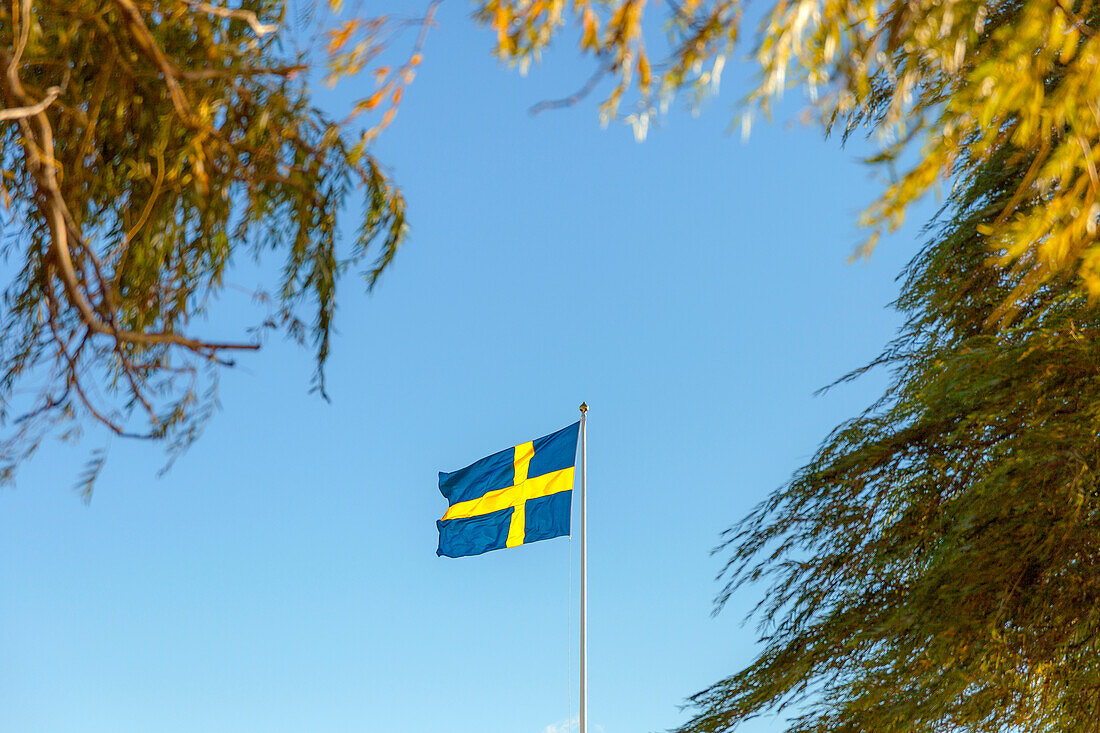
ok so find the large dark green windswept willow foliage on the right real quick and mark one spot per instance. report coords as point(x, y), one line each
point(937, 566)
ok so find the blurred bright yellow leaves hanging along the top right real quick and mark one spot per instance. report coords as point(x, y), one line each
point(955, 86)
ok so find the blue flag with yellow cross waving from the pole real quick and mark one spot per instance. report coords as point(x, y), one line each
point(518, 497)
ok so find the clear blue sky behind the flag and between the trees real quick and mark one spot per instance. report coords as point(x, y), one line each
point(695, 290)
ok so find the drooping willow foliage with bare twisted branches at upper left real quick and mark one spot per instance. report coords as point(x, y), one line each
point(146, 145)
